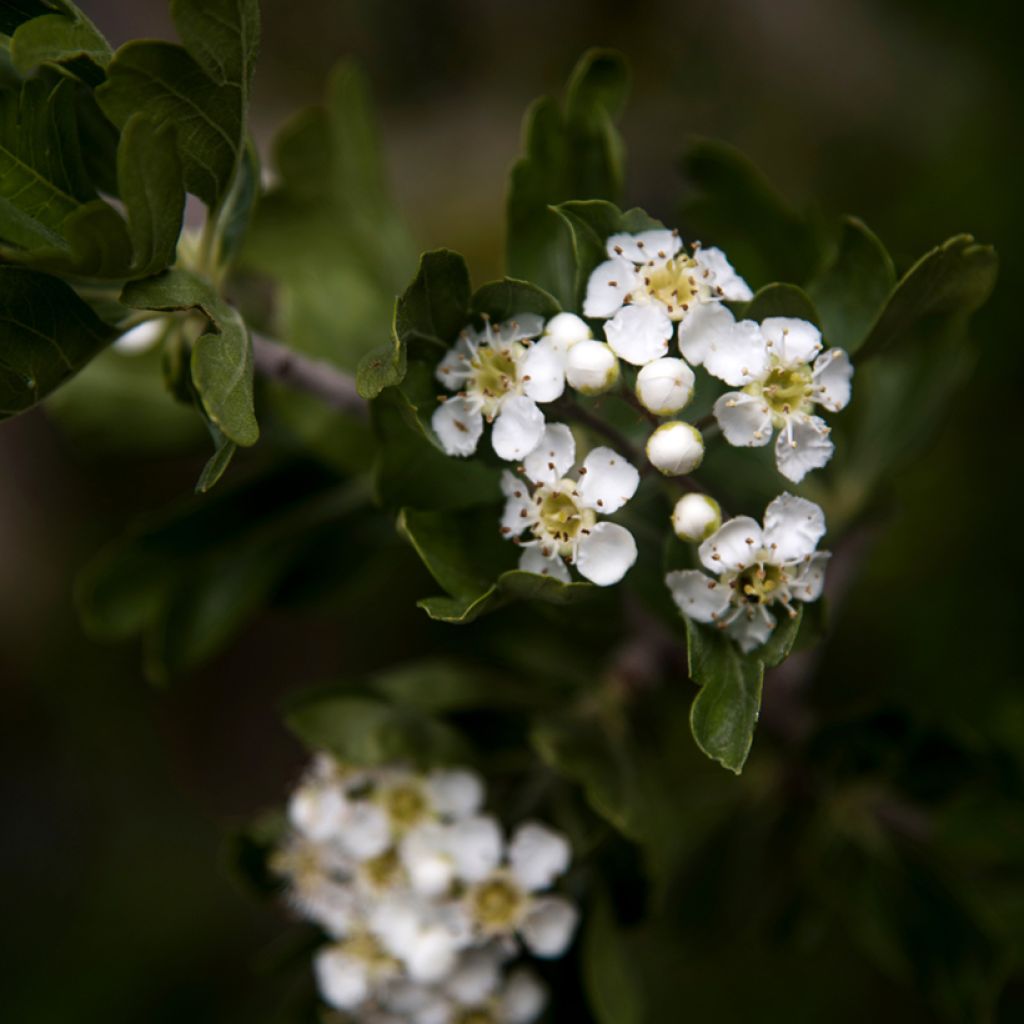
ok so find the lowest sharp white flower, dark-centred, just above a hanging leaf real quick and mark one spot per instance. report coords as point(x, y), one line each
point(756, 569)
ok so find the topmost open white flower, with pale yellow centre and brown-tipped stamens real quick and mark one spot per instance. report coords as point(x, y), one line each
point(649, 284)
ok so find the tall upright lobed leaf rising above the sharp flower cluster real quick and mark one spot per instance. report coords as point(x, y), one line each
point(569, 154)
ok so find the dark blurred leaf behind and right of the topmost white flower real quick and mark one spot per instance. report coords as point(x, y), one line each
point(735, 206)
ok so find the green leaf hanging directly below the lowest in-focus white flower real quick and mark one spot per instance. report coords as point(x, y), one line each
point(726, 711)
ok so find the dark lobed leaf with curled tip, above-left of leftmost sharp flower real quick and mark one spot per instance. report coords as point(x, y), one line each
point(431, 313)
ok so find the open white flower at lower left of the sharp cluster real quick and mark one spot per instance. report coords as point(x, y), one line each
point(560, 514)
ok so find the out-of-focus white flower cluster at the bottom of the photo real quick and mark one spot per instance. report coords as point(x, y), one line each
point(426, 905)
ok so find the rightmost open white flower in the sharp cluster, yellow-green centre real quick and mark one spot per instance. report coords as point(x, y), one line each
point(784, 395)
